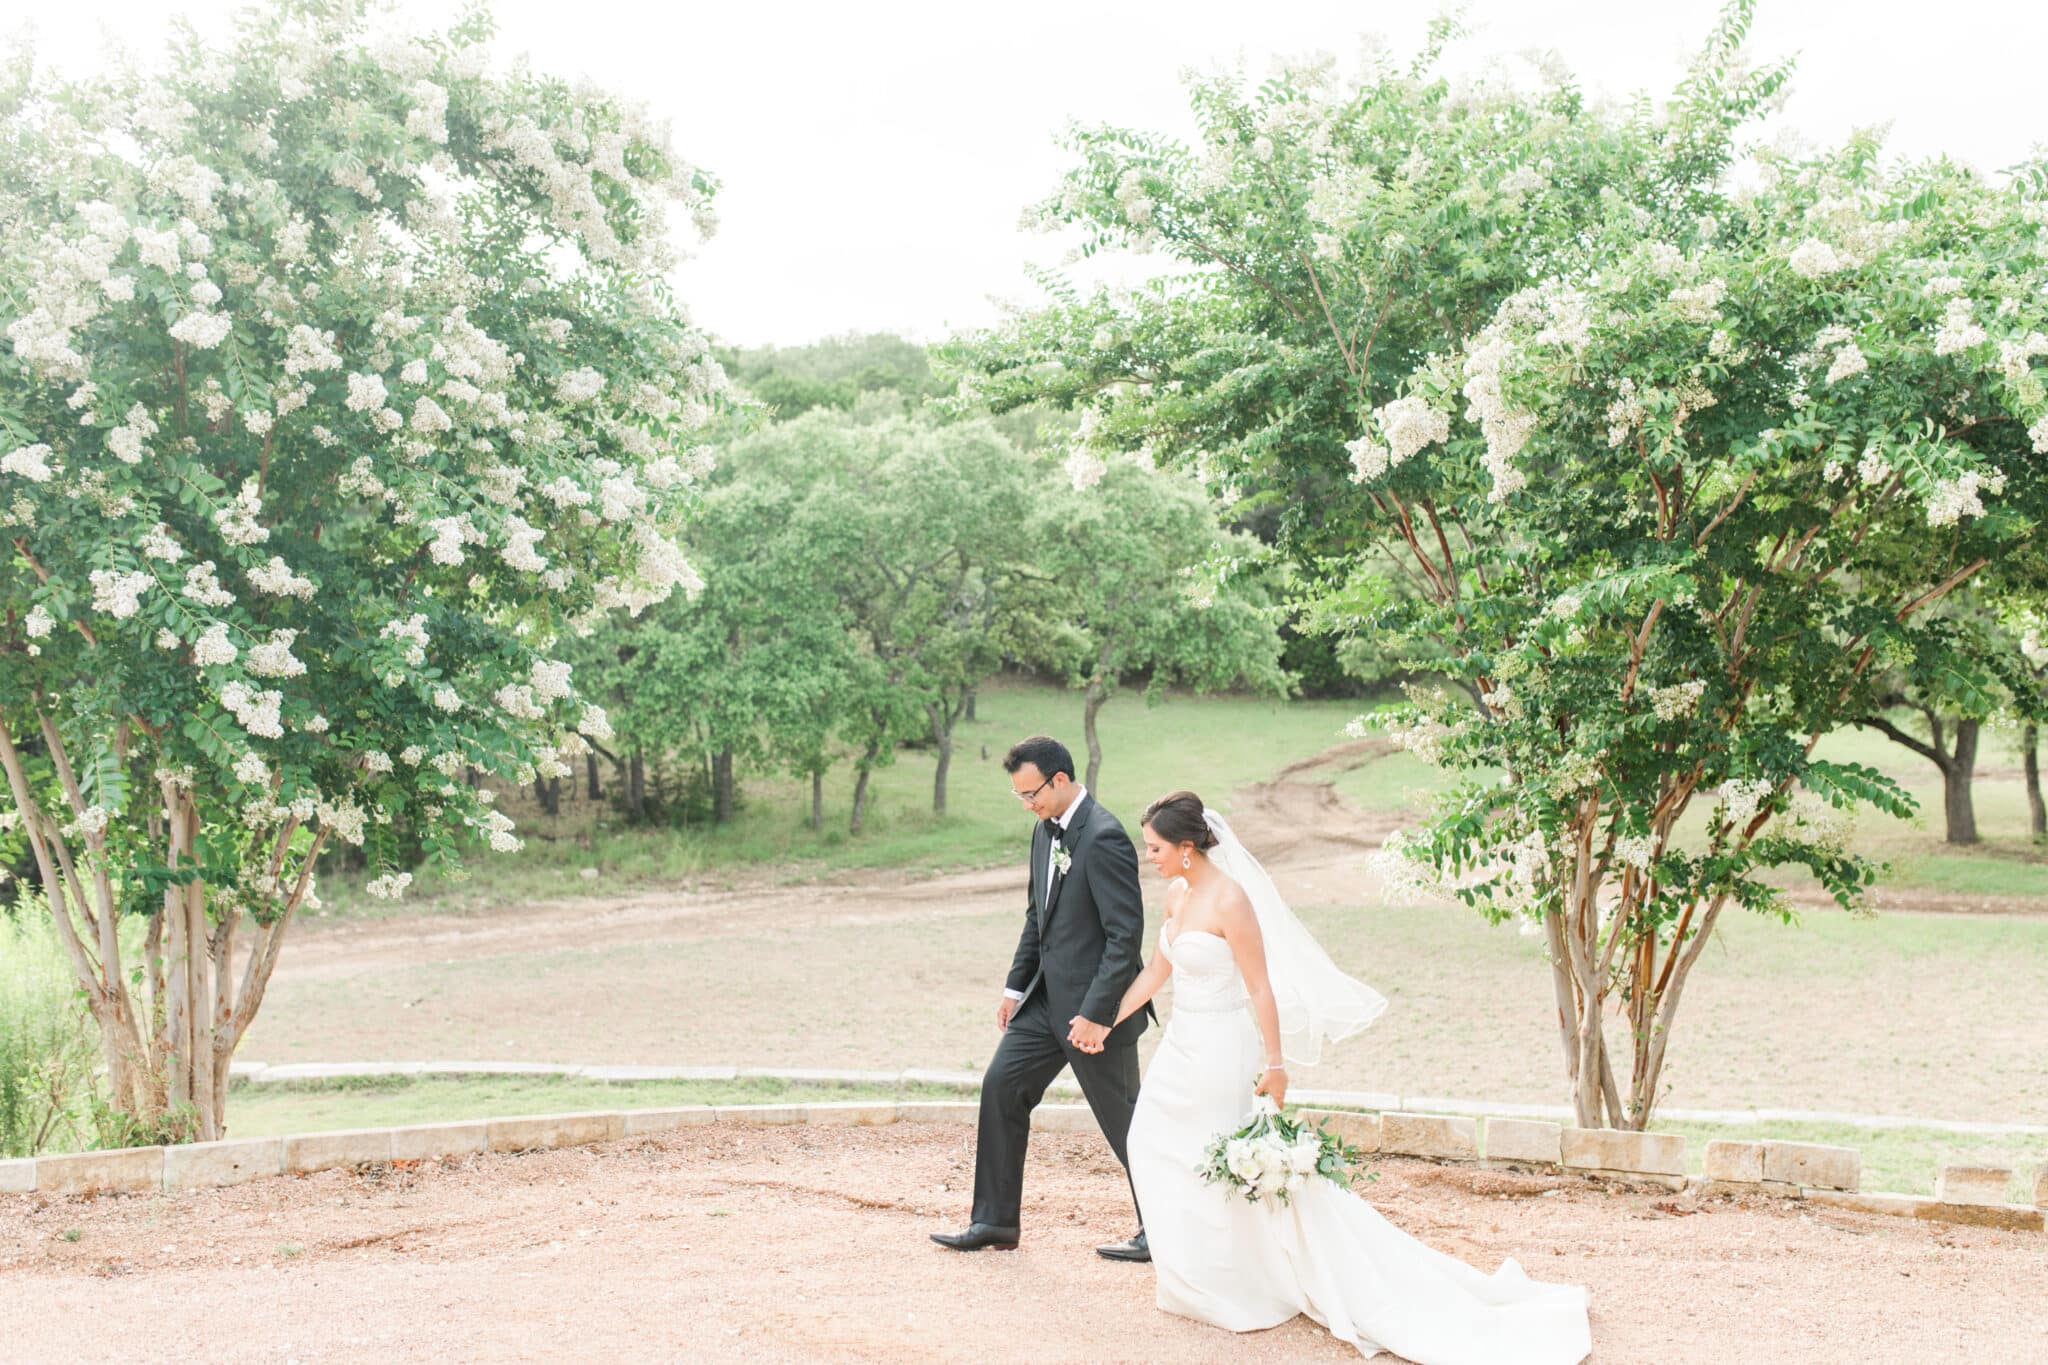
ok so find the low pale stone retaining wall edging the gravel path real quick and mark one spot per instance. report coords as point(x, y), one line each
point(1797, 1170)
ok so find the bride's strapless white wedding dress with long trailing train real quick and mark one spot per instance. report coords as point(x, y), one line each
point(1328, 1253)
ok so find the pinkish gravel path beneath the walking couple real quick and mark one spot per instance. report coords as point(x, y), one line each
point(810, 1245)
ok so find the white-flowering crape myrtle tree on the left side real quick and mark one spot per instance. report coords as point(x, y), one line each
point(339, 386)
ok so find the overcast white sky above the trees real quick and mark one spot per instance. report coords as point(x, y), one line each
point(878, 157)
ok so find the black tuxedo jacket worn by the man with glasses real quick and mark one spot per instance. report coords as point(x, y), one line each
point(1082, 944)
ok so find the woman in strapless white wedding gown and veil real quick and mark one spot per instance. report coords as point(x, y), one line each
point(1252, 994)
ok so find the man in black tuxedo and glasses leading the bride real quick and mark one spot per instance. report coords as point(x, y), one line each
point(1076, 957)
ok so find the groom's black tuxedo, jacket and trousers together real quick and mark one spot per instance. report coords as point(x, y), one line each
point(1080, 951)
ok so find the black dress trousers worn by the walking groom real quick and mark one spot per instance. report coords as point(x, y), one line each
point(1027, 1061)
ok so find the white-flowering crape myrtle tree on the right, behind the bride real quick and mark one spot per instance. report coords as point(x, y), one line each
point(1674, 466)
